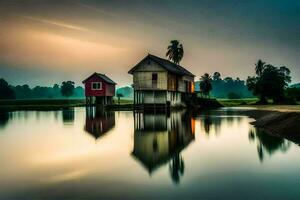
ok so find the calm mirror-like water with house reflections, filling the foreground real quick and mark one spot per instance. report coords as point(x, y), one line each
point(90, 154)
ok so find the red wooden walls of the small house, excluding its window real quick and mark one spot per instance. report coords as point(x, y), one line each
point(107, 89)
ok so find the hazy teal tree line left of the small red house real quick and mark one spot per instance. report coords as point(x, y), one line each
point(65, 89)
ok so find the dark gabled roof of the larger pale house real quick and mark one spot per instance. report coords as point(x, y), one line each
point(166, 64)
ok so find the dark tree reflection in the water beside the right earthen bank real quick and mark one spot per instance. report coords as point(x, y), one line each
point(267, 144)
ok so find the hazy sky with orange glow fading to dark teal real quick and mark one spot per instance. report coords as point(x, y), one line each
point(46, 42)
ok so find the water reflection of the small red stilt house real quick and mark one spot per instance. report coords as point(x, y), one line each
point(98, 121)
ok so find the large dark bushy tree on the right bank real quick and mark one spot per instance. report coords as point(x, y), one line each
point(270, 83)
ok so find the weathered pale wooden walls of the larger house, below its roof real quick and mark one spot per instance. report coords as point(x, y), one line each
point(169, 87)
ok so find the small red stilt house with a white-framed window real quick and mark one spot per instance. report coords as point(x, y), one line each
point(99, 89)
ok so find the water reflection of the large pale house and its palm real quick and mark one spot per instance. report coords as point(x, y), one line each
point(159, 139)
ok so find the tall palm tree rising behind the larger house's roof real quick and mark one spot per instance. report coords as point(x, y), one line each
point(175, 51)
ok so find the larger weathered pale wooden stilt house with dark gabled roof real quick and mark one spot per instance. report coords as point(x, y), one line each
point(158, 81)
